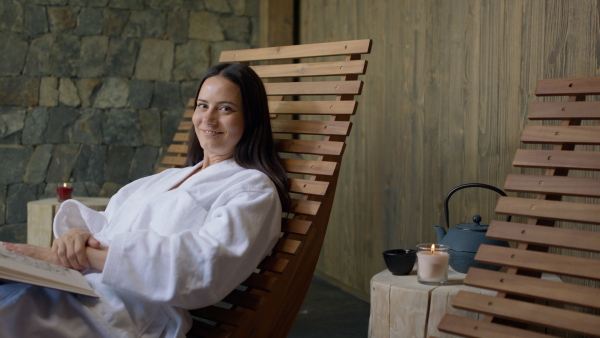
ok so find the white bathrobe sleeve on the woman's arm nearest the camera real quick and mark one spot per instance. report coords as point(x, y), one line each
point(197, 268)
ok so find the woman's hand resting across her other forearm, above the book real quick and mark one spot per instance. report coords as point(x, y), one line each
point(70, 248)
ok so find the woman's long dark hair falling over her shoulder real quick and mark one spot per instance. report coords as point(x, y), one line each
point(256, 149)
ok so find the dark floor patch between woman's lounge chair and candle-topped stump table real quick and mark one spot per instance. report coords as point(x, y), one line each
point(330, 312)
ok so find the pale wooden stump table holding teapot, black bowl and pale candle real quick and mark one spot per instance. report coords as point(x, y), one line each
point(402, 307)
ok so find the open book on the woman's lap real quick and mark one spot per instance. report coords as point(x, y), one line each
point(19, 268)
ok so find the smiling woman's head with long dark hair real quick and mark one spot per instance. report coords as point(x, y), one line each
point(235, 91)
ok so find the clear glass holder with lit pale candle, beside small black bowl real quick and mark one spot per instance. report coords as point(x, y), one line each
point(432, 263)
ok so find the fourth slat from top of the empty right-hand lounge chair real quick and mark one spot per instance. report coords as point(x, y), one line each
point(586, 160)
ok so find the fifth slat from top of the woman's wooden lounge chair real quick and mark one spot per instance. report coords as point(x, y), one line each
point(311, 127)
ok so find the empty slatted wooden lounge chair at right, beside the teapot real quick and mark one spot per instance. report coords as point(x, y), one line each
point(568, 191)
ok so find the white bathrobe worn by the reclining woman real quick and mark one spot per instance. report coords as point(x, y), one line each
point(169, 250)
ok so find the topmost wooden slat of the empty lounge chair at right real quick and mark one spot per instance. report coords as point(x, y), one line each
point(572, 86)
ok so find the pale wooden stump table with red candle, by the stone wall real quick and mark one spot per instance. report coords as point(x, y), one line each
point(40, 215)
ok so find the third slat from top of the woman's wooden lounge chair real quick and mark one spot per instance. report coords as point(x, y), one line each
point(314, 88)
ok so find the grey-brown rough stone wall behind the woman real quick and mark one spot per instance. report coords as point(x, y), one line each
point(91, 91)
